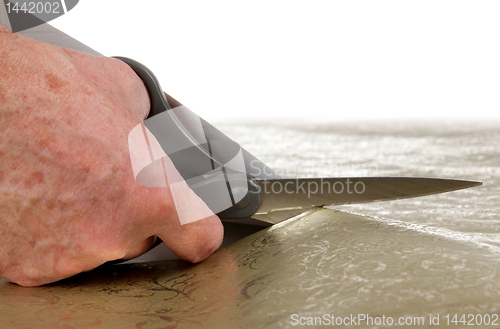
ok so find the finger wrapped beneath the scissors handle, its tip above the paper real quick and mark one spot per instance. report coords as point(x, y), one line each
point(177, 215)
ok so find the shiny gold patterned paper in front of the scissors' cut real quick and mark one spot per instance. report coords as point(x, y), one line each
point(323, 262)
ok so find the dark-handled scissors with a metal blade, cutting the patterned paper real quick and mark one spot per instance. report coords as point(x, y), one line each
point(240, 188)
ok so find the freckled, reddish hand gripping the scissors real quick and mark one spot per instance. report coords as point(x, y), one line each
point(68, 198)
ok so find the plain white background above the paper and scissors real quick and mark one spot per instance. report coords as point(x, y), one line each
point(320, 60)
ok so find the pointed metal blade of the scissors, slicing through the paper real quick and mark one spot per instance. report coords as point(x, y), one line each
point(283, 198)
